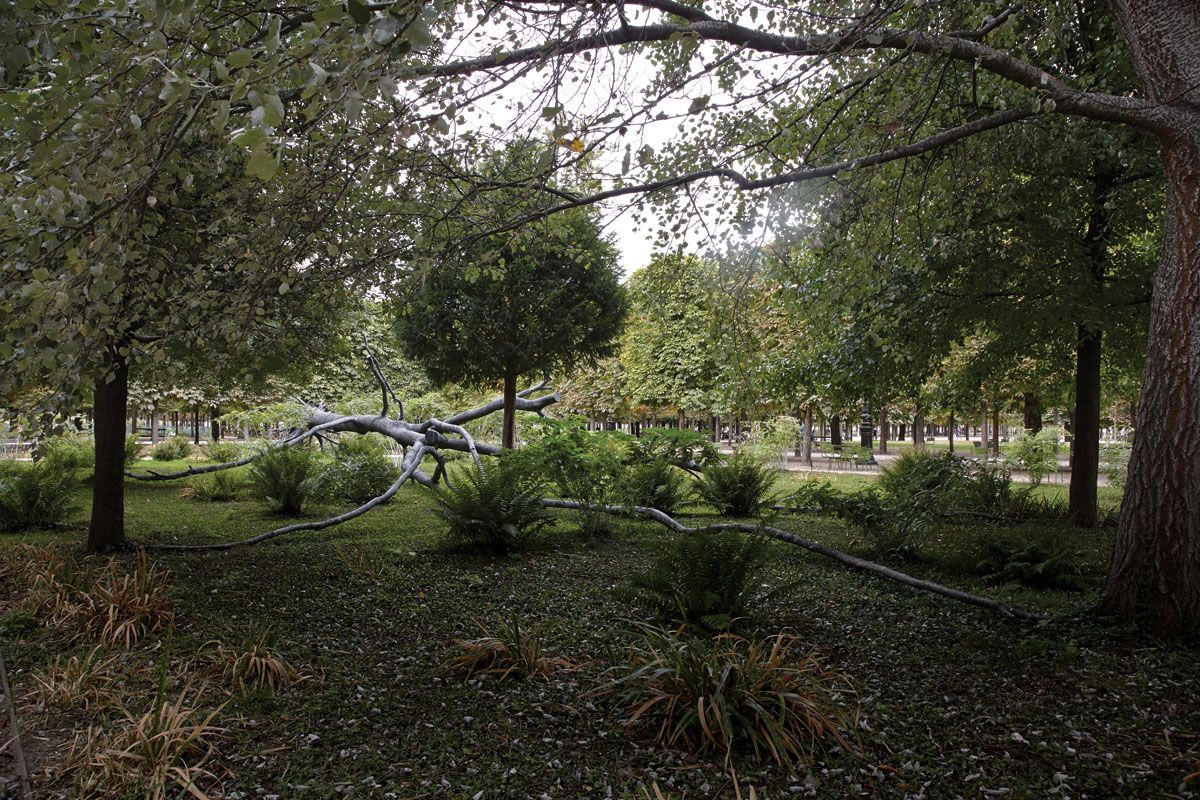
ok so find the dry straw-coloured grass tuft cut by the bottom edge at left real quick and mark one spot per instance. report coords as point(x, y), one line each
point(165, 753)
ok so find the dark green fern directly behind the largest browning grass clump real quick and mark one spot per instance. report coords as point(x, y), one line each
point(704, 579)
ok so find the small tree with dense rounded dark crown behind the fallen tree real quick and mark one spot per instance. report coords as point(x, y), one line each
point(519, 305)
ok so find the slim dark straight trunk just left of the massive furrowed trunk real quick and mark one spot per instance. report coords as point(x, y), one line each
point(1085, 430)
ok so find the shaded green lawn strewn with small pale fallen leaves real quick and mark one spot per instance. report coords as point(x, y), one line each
point(952, 701)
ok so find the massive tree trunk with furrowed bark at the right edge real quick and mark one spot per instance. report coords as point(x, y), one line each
point(1155, 576)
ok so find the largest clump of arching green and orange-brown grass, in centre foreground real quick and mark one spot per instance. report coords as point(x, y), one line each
point(716, 695)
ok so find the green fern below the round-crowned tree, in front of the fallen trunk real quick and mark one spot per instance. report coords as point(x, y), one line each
point(495, 513)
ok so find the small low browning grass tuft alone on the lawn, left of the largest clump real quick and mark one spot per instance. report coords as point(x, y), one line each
point(514, 651)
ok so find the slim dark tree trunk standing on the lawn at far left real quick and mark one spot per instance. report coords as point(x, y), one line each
point(106, 533)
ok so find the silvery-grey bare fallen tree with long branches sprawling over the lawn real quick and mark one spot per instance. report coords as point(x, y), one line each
point(433, 436)
